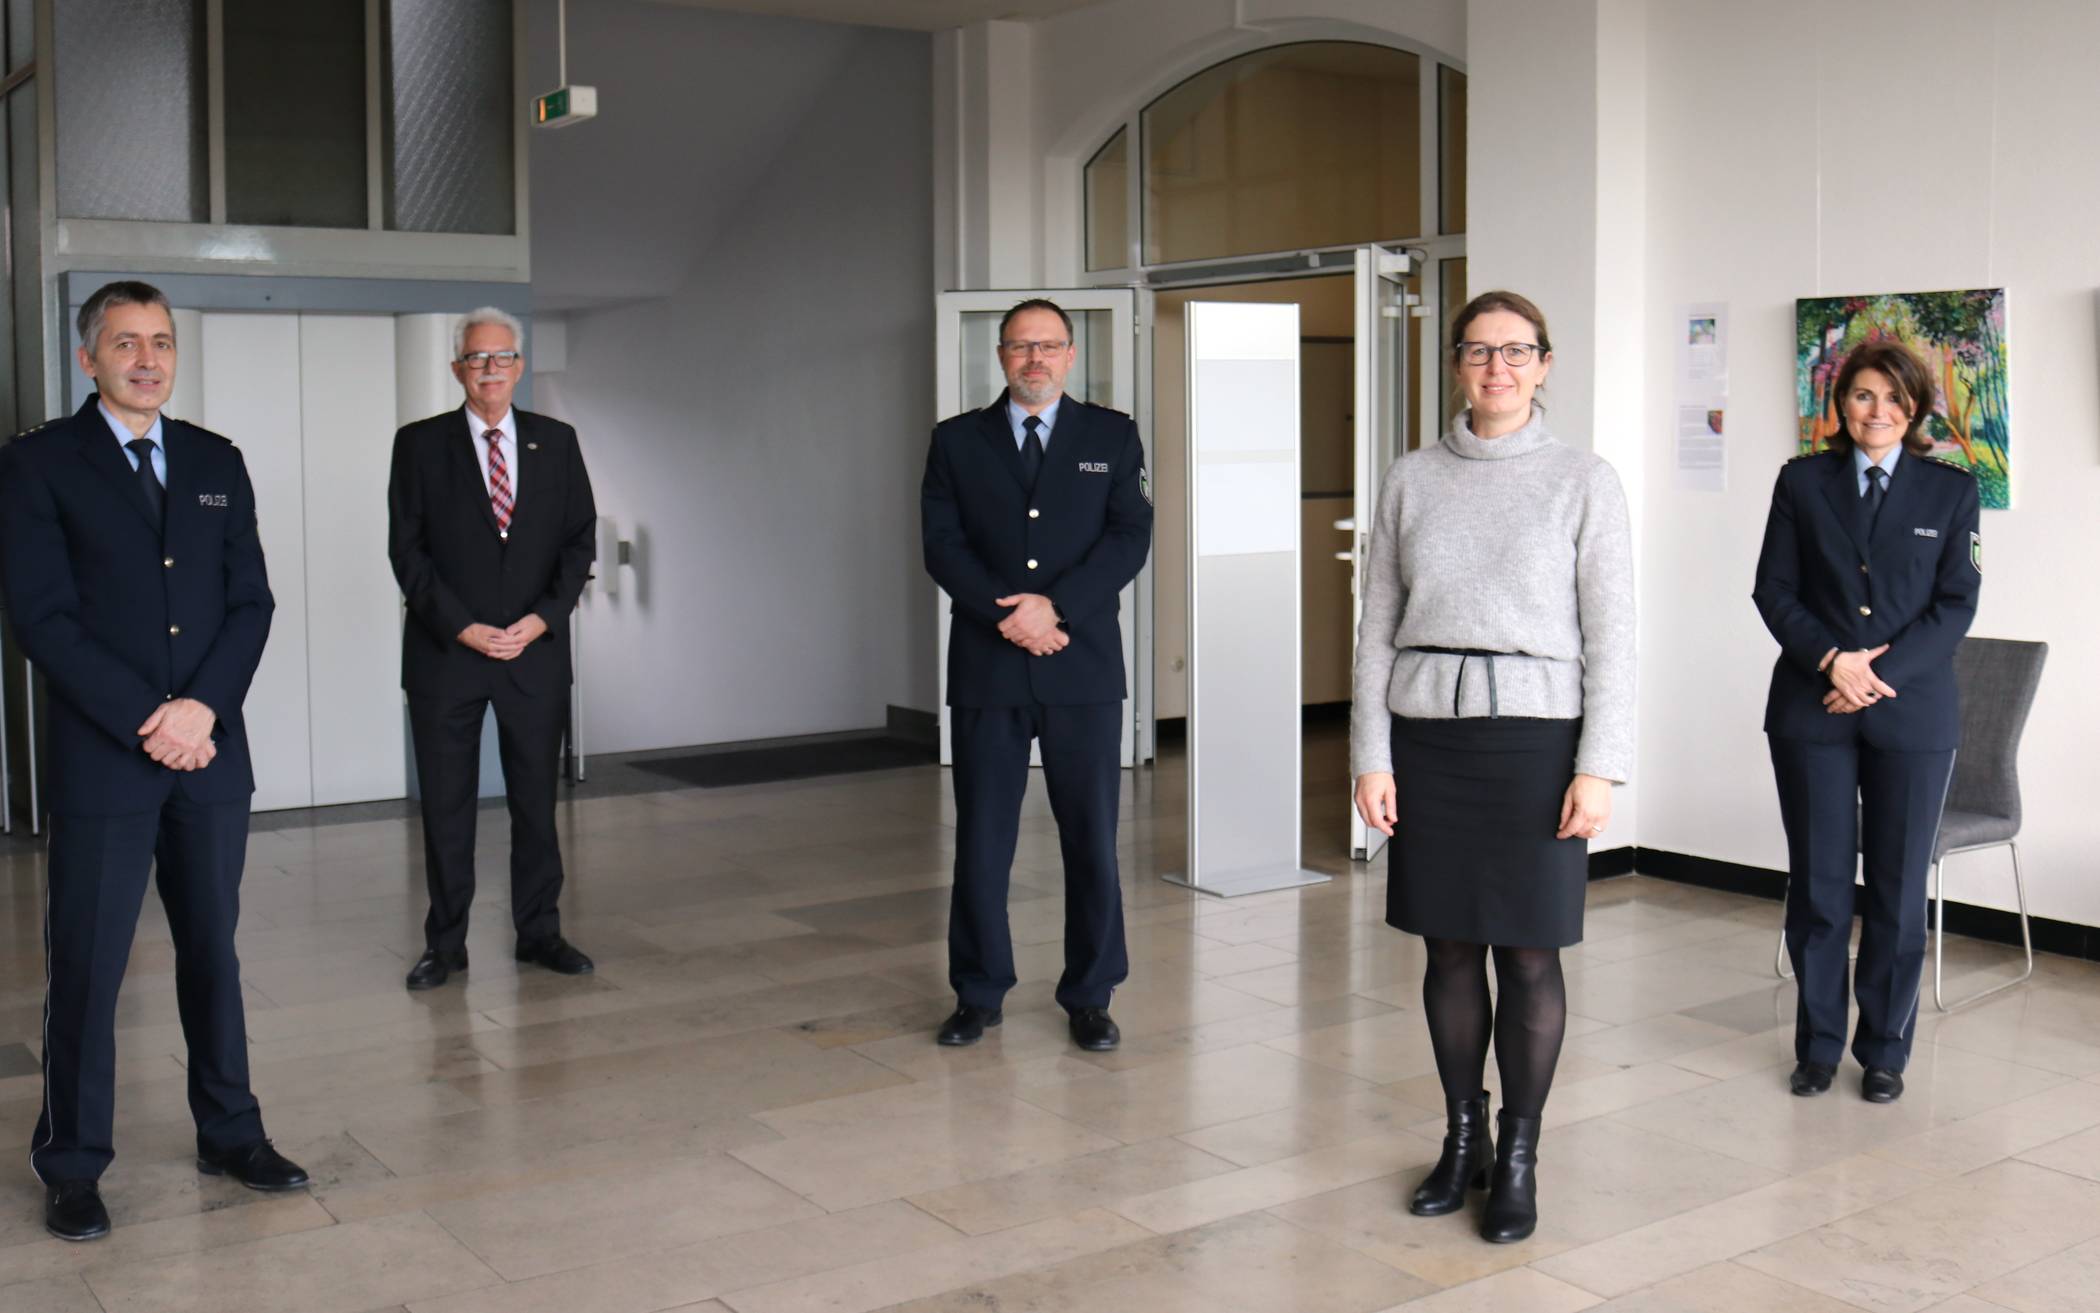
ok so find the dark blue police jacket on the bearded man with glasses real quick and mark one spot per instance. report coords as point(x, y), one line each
point(1080, 539)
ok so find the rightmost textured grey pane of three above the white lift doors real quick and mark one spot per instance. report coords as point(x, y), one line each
point(450, 117)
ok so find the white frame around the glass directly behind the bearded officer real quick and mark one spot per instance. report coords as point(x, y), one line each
point(1122, 308)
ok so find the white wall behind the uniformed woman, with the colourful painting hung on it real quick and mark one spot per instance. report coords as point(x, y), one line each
point(1759, 194)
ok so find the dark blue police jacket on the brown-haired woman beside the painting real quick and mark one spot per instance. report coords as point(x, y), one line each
point(1912, 585)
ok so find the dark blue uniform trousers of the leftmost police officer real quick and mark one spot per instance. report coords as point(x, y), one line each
point(98, 877)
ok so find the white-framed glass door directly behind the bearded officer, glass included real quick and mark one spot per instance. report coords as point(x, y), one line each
point(969, 377)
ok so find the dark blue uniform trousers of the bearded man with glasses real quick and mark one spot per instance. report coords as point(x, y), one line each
point(1083, 747)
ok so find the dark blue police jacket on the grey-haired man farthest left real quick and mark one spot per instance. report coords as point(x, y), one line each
point(123, 617)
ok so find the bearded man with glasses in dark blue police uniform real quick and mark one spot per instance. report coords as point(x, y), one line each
point(1036, 514)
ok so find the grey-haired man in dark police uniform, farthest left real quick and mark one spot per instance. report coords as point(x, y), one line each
point(135, 583)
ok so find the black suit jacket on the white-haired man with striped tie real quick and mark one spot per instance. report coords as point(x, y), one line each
point(457, 570)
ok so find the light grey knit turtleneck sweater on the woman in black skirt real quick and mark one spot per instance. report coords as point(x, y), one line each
point(1513, 545)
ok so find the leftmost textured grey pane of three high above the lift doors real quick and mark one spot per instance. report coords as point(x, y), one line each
point(131, 110)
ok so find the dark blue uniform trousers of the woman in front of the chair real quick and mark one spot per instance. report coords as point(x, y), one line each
point(1855, 806)
